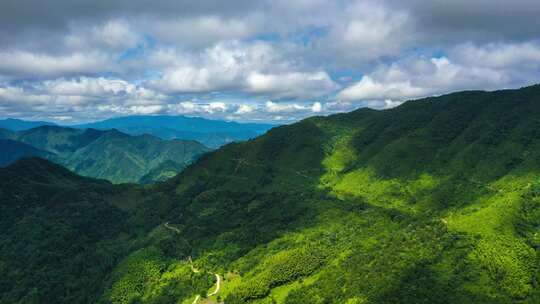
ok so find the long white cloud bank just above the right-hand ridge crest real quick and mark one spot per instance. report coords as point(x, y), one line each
point(467, 67)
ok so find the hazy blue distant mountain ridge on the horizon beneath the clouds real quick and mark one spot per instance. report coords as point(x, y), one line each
point(211, 133)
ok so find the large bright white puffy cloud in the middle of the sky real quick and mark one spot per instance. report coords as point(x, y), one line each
point(256, 68)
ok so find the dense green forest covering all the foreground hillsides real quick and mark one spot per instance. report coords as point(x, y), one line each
point(435, 201)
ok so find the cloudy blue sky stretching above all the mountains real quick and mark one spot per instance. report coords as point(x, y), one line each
point(255, 61)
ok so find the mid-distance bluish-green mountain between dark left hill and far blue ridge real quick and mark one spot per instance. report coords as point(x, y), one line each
point(110, 154)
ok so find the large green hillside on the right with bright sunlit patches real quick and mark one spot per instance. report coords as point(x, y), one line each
point(432, 202)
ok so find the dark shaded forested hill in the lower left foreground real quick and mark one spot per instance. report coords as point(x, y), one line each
point(57, 248)
